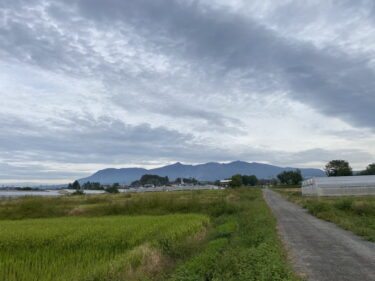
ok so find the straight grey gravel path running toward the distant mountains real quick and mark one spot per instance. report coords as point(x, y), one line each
point(320, 250)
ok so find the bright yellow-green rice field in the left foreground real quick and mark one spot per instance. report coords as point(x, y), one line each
point(74, 248)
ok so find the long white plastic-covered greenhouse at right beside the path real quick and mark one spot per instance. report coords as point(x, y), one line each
point(339, 186)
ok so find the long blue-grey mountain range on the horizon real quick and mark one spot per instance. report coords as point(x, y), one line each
point(205, 172)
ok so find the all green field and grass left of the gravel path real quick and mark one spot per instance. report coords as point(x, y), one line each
point(202, 235)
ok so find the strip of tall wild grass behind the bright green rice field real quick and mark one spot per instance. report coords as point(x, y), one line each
point(211, 203)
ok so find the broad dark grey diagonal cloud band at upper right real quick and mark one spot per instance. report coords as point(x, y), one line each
point(332, 81)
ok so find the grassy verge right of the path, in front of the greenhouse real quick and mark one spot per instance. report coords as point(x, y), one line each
point(355, 213)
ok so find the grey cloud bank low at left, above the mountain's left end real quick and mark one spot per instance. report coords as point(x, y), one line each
point(90, 140)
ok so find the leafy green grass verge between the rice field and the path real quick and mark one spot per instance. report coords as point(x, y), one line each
point(243, 246)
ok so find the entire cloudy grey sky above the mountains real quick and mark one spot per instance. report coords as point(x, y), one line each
point(91, 84)
